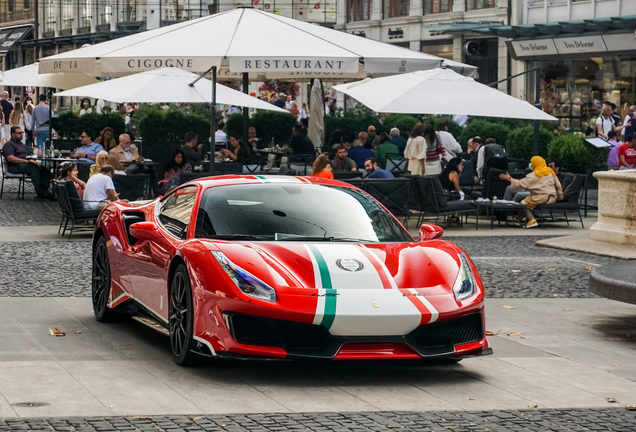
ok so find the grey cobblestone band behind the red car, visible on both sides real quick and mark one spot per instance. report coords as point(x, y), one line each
point(509, 267)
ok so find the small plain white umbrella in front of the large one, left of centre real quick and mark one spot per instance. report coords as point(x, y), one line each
point(166, 85)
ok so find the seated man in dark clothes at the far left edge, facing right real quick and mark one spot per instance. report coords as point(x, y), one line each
point(15, 153)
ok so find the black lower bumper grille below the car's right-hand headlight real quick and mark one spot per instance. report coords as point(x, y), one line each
point(458, 331)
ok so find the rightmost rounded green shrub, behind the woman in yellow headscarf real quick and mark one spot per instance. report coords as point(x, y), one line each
point(573, 150)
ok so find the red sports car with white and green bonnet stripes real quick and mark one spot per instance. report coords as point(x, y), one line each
point(285, 267)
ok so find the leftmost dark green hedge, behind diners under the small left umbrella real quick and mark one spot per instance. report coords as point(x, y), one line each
point(69, 125)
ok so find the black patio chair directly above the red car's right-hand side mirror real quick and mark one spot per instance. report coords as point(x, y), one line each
point(437, 202)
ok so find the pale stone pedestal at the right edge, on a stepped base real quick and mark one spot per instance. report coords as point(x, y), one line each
point(616, 208)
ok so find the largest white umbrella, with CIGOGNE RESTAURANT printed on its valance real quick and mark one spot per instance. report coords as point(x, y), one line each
point(291, 46)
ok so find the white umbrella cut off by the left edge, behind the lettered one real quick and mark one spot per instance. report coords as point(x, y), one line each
point(28, 76)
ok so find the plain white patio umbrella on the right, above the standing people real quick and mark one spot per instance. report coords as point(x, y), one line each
point(438, 91)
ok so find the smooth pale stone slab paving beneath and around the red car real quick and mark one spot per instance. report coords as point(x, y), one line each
point(569, 353)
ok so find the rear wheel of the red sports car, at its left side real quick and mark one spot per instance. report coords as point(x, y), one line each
point(100, 284)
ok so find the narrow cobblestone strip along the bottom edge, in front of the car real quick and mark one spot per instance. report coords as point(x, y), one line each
point(610, 419)
